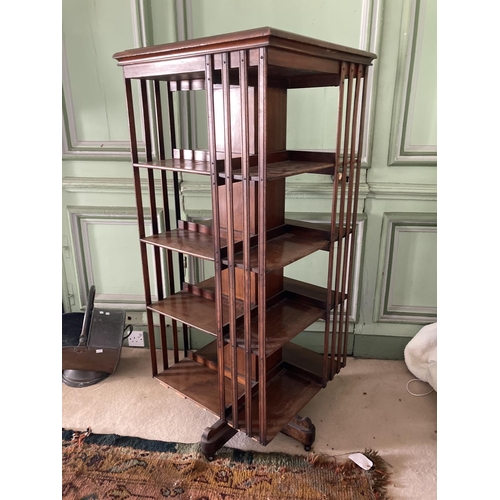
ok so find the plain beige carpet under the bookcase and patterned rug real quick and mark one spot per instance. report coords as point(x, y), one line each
point(365, 406)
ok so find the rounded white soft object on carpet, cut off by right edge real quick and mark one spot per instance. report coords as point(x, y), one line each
point(421, 355)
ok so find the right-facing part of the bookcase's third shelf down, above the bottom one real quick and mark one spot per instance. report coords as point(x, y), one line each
point(284, 320)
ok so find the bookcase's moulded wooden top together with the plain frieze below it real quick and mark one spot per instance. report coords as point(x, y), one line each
point(294, 60)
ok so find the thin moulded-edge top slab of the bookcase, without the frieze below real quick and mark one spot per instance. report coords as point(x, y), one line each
point(247, 39)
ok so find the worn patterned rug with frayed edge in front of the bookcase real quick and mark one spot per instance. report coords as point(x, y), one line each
point(111, 467)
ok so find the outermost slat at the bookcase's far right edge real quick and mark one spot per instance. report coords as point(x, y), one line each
point(362, 72)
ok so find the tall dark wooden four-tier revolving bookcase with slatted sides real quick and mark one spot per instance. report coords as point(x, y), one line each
point(252, 376)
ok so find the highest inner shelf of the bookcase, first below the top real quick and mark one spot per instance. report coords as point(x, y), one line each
point(280, 164)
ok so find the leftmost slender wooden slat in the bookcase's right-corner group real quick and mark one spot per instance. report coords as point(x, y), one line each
point(333, 358)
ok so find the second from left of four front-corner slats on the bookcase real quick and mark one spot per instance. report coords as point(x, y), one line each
point(226, 100)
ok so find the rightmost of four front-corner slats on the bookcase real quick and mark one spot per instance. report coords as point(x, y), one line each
point(262, 174)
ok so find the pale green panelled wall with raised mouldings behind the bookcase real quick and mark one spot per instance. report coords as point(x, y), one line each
point(395, 267)
